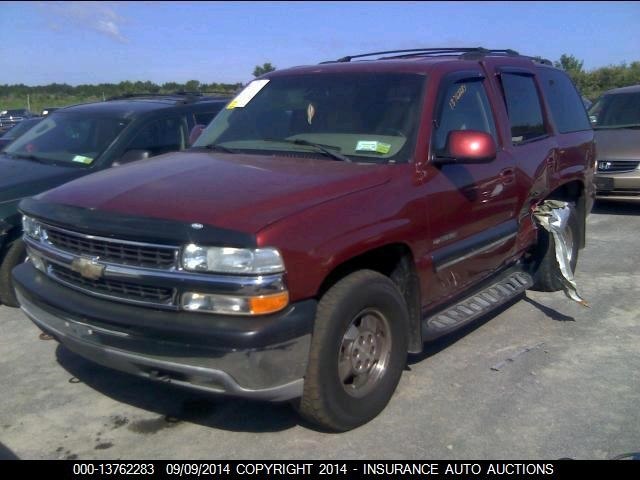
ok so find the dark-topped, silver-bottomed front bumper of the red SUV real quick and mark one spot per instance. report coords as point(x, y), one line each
point(262, 357)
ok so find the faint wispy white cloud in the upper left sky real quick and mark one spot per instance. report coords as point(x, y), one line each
point(99, 17)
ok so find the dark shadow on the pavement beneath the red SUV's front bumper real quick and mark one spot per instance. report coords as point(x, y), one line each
point(174, 404)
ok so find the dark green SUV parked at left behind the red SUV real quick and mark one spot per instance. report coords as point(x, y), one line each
point(78, 140)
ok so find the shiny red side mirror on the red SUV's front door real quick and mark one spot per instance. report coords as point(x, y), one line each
point(468, 146)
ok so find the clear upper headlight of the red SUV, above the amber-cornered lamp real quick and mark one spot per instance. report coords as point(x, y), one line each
point(258, 261)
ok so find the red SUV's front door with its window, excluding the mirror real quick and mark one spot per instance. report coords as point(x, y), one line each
point(472, 207)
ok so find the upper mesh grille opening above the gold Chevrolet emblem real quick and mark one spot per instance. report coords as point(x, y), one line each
point(114, 251)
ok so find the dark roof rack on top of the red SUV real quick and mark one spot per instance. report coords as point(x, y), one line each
point(466, 53)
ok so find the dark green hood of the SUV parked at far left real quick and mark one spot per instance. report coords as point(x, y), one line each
point(21, 178)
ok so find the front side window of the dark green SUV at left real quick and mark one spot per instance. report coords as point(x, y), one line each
point(160, 136)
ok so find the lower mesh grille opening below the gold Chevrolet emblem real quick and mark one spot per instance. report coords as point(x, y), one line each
point(113, 288)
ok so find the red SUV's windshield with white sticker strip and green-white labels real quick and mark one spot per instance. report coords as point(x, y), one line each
point(364, 116)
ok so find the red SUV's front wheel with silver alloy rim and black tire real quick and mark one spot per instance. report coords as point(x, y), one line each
point(358, 351)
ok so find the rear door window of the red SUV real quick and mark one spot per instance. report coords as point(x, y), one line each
point(523, 107)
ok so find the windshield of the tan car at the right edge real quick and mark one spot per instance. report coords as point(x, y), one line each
point(616, 110)
